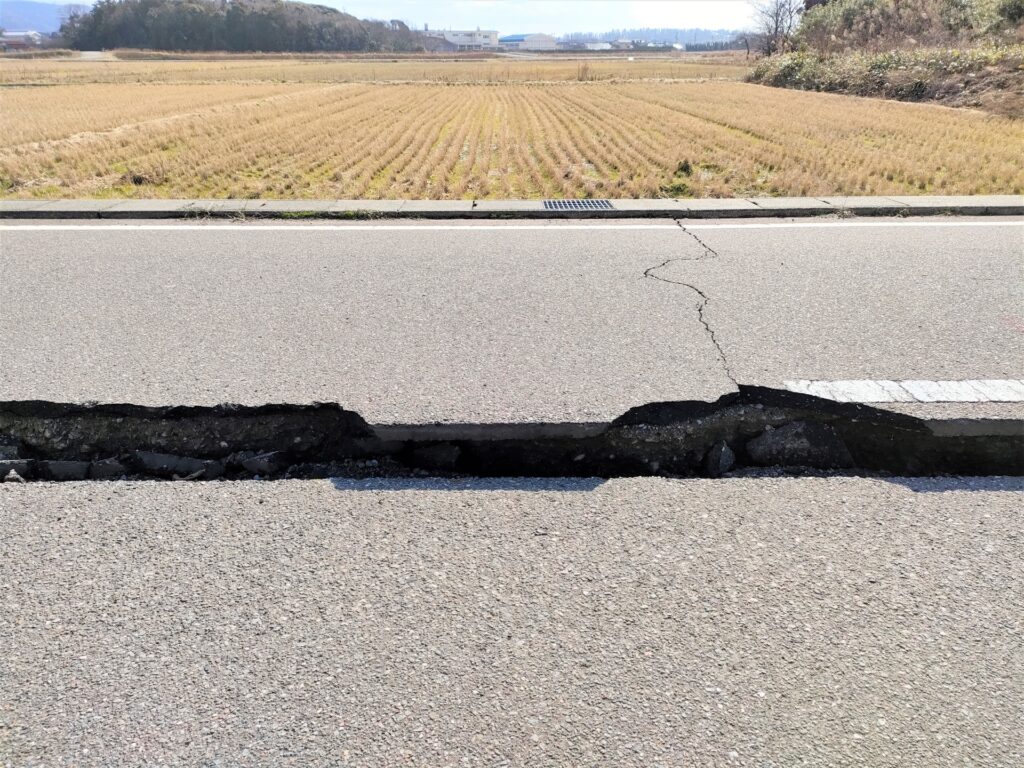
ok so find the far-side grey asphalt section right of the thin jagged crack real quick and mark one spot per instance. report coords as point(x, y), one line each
point(865, 304)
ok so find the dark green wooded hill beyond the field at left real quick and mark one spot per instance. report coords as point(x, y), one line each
point(233, 26)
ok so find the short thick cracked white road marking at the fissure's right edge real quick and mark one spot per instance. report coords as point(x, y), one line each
point(915, 391)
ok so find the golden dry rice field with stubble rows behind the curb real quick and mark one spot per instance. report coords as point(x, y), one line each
point(482, 129)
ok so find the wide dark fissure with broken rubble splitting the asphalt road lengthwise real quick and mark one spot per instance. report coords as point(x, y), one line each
point(753, 430)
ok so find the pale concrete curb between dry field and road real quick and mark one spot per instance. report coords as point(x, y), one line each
point(992, 205)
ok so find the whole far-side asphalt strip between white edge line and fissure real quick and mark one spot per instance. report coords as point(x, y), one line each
point(507, 323)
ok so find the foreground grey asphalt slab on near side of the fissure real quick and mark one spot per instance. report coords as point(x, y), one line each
point(631, 623)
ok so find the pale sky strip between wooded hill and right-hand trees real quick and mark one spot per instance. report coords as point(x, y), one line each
point(554, 17)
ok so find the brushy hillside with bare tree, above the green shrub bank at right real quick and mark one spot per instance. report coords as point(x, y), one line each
point(828, 26)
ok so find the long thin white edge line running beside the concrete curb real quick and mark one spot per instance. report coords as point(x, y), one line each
point(472, 228)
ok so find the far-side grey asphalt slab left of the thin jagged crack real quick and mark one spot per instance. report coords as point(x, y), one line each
point(410, 325)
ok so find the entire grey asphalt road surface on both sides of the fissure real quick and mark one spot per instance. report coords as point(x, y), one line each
point(821, 622)
